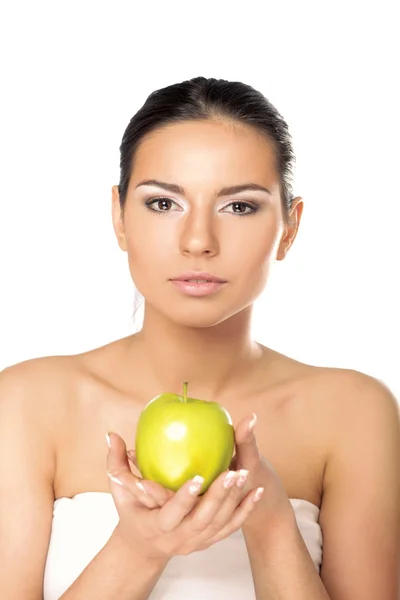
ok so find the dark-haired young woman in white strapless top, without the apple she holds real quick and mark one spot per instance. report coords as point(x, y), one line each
point(309, 509)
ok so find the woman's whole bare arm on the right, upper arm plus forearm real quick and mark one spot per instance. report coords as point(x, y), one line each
point(360, 513)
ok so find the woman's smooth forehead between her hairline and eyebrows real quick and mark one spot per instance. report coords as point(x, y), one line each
point(201, 150)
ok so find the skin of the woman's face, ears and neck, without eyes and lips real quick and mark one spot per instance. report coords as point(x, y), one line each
point(201, 232)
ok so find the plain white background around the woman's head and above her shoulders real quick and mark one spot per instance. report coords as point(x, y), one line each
point(74, 73)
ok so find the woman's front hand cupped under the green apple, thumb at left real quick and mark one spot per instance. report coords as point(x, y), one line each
point(177, 523)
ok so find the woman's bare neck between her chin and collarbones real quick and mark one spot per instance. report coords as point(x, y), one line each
point(211, 359)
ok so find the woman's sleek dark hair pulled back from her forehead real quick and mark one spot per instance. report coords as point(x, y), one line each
point(201, 99)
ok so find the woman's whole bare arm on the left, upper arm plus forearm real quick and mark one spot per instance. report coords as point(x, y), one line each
point(28, 415)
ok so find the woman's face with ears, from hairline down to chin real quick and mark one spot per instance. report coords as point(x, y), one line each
point(234, 236)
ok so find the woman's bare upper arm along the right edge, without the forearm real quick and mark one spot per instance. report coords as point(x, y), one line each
point(360, 514)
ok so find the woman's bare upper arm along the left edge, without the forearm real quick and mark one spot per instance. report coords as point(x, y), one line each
point(26, 492)
